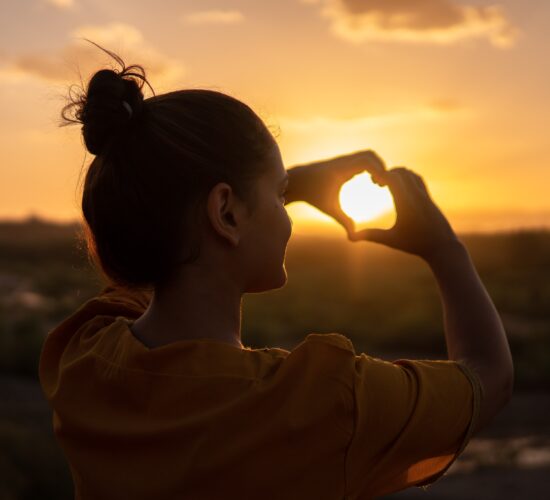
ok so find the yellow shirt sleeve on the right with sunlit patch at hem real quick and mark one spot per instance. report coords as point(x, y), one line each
point(412, 418)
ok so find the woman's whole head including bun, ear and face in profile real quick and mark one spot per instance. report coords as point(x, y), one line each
point(173, 173)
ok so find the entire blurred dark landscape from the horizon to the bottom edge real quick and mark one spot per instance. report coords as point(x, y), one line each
point(386, 302)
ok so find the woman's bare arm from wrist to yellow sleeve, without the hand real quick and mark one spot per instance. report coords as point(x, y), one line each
point(473, 329)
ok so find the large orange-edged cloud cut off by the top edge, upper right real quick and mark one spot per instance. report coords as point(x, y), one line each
point(426, 21)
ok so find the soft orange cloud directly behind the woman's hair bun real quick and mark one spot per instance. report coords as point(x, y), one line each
point(79, 56)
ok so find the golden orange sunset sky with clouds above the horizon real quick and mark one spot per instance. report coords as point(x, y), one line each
point(458, 91)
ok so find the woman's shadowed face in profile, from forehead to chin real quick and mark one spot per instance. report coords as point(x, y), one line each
point(270, 229)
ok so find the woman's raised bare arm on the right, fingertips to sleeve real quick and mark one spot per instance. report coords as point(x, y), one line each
point(473, 329)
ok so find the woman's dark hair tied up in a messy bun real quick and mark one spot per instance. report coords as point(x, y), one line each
point(156, 160)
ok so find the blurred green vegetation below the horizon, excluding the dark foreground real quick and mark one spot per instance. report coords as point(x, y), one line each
point(385, 301)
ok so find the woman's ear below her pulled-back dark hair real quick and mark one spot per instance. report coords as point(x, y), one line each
point(224, 211)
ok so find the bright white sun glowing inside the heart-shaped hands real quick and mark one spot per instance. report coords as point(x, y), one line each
point(363, 201)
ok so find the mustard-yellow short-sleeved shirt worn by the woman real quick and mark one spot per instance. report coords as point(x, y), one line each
point(203, 419)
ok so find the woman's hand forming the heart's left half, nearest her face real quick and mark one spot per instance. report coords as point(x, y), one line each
point(319, 183)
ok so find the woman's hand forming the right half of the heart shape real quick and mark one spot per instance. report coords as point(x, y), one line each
point(420, 227)
